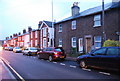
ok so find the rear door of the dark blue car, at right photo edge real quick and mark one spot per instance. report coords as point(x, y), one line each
point(112, 58)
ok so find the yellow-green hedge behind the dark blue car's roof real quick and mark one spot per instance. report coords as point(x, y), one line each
point(109, 43)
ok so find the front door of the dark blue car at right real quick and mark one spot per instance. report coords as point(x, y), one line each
point(94, 58)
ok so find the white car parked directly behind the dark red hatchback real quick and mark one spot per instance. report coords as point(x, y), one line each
point(30, 51)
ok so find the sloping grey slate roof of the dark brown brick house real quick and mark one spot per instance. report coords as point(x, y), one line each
point(92, 11)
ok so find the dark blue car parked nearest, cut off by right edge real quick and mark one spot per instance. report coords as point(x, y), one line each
point(104, 58)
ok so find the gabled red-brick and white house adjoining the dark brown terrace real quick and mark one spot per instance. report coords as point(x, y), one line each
point(45, 34)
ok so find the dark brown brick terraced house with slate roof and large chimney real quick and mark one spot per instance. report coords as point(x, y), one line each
point(84, 31)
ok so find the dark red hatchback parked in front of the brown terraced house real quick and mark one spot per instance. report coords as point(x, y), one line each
point(52, 53)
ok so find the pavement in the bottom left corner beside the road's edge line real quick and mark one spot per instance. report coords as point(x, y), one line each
point(5, 73)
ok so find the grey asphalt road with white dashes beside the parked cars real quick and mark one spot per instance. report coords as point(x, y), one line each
point(30, 67)
